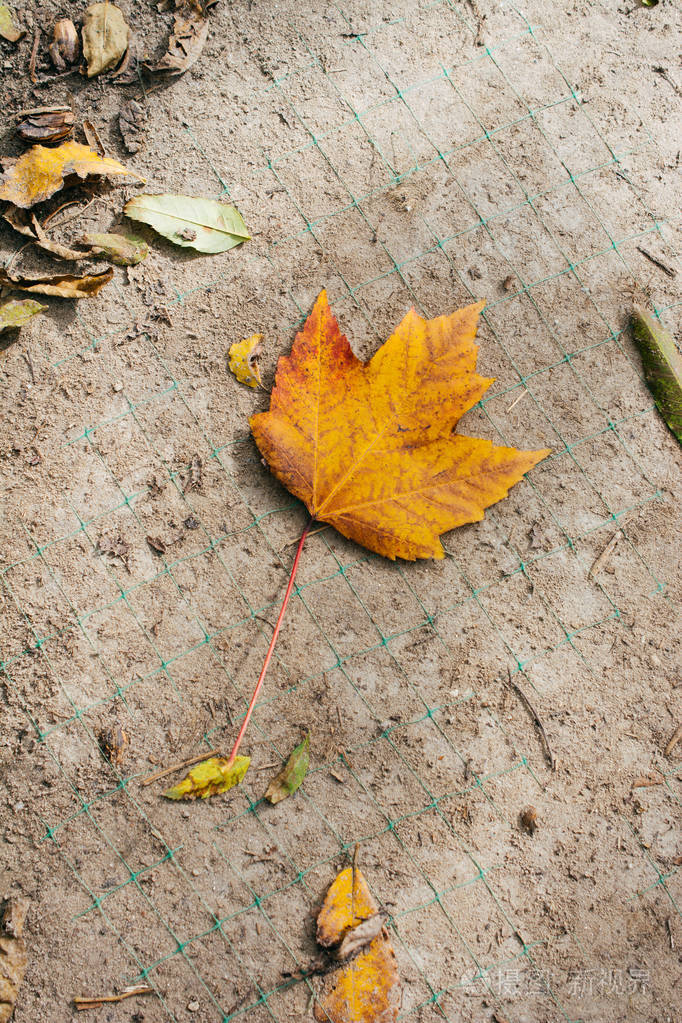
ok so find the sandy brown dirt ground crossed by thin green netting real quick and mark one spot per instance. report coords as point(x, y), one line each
point(398, 154)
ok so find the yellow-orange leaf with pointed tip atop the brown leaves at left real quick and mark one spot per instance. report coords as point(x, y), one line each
point(42, 172)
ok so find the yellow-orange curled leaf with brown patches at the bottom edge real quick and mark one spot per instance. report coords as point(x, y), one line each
point(368, 989)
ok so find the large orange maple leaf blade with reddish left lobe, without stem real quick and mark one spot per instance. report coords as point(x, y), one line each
point(372, 448)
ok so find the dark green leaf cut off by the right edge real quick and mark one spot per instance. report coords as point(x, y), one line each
point(663, 368)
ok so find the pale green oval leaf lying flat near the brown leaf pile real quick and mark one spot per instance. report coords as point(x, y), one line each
point(204, 225)
